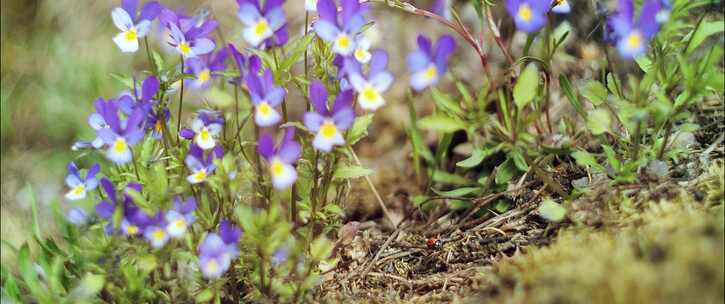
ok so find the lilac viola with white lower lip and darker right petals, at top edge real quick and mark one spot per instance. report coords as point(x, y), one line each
point(263, 25)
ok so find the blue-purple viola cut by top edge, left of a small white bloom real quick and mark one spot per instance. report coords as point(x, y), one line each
point(529, 15)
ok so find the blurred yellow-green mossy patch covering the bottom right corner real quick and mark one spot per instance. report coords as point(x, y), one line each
point(660, 245)
